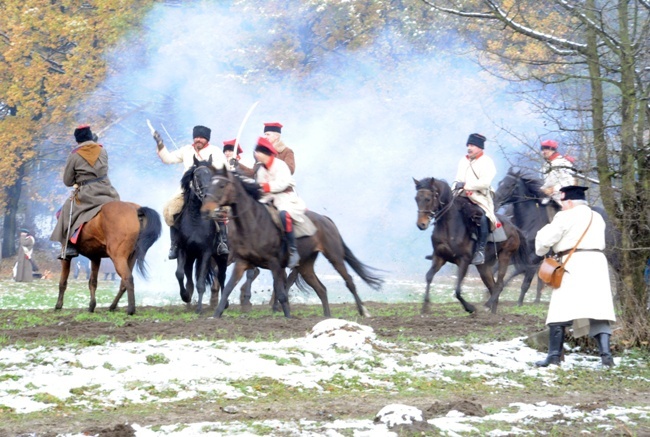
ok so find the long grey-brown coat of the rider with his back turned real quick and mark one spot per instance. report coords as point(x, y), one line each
point(89, 197)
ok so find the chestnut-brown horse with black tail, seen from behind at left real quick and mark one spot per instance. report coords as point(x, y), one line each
point(123, 232)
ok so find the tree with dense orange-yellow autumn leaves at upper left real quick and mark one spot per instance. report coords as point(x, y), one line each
point(50, 55)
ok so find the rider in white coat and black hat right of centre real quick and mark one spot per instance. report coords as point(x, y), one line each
point(473, 180)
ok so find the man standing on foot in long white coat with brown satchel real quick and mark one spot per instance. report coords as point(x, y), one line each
point(585, 295)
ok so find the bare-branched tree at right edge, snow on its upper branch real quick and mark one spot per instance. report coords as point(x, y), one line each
point(604, 46)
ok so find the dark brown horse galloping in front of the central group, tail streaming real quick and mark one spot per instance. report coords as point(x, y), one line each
point(258, 242)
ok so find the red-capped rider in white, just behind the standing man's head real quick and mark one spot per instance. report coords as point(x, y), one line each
point(557, 171)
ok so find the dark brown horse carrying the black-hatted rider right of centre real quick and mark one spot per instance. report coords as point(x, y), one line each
point(452, 241)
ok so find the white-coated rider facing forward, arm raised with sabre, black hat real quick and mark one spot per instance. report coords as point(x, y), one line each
point(202, 150)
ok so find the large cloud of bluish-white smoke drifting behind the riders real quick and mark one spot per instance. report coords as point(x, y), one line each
point(359, 139)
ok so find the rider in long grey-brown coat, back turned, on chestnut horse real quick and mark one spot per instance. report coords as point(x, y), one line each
point(86, 170)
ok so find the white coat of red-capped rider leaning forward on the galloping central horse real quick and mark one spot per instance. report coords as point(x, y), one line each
point(279, 187)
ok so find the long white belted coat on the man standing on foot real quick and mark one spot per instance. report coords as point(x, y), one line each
point(585, 292)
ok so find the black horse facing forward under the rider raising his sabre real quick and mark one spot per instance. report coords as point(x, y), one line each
point(197, 238)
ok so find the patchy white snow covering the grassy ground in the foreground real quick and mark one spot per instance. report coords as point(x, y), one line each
point(335, 350)
